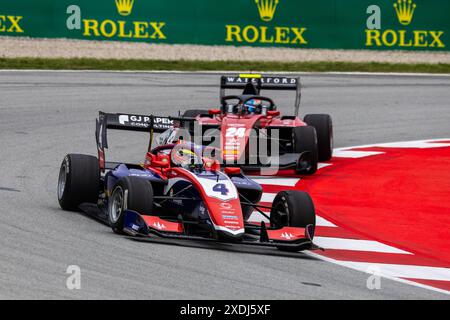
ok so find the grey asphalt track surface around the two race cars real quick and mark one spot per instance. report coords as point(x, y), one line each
point(45, 115)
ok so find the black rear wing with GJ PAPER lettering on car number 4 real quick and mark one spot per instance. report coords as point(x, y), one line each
point(129, 122)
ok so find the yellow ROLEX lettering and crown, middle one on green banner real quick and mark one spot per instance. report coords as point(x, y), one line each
point(265, 33)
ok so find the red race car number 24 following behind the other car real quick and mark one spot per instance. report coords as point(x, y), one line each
point(250, 131)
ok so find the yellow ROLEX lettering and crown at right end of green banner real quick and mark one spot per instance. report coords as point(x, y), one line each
point(405, 36)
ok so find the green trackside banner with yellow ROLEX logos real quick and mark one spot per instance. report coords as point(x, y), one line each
point(333, 24)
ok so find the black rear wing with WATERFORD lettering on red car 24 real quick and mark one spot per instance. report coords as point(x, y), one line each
point(254, 83)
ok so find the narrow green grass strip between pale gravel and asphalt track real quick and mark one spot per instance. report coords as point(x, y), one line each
point(185, 65)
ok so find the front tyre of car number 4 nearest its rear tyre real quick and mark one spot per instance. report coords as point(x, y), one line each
point(130, 193)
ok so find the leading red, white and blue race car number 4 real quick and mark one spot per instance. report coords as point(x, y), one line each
point(178, 193)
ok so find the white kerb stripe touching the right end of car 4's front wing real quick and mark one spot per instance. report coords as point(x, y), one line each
point(358, 245)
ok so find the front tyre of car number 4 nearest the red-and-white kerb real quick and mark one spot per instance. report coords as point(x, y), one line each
point(292, 209)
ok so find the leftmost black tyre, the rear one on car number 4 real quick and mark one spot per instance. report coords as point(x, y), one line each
point(78, 181)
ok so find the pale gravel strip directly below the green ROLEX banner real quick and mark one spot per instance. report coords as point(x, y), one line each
point(11, 47)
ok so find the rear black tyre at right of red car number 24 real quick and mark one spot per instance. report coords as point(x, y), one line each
point(324, 129)
